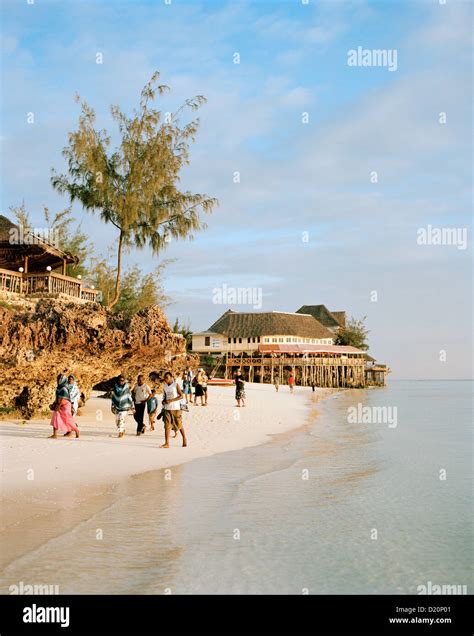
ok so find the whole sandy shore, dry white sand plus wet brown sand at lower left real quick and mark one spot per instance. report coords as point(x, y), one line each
point(48, 486)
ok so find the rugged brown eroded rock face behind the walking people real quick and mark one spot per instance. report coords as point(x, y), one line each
point(40, 340)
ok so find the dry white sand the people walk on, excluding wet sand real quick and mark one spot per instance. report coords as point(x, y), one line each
point(32, 463)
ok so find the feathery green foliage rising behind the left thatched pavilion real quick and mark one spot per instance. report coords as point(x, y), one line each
point(67, 238)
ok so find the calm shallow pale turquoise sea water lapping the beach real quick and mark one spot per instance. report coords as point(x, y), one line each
point(373, 516)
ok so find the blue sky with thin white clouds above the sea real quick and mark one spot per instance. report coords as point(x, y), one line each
point(343, 169)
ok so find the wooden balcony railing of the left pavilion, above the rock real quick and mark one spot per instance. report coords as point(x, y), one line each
point(49, 283)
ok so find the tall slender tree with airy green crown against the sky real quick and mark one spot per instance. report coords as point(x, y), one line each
point(135, 186)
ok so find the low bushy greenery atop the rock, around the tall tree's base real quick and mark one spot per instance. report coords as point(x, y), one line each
point(137, 291)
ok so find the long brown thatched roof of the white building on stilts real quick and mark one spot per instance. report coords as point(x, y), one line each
point(247, 325)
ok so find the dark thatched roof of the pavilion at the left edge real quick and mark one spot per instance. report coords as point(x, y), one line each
point(41, 253)
